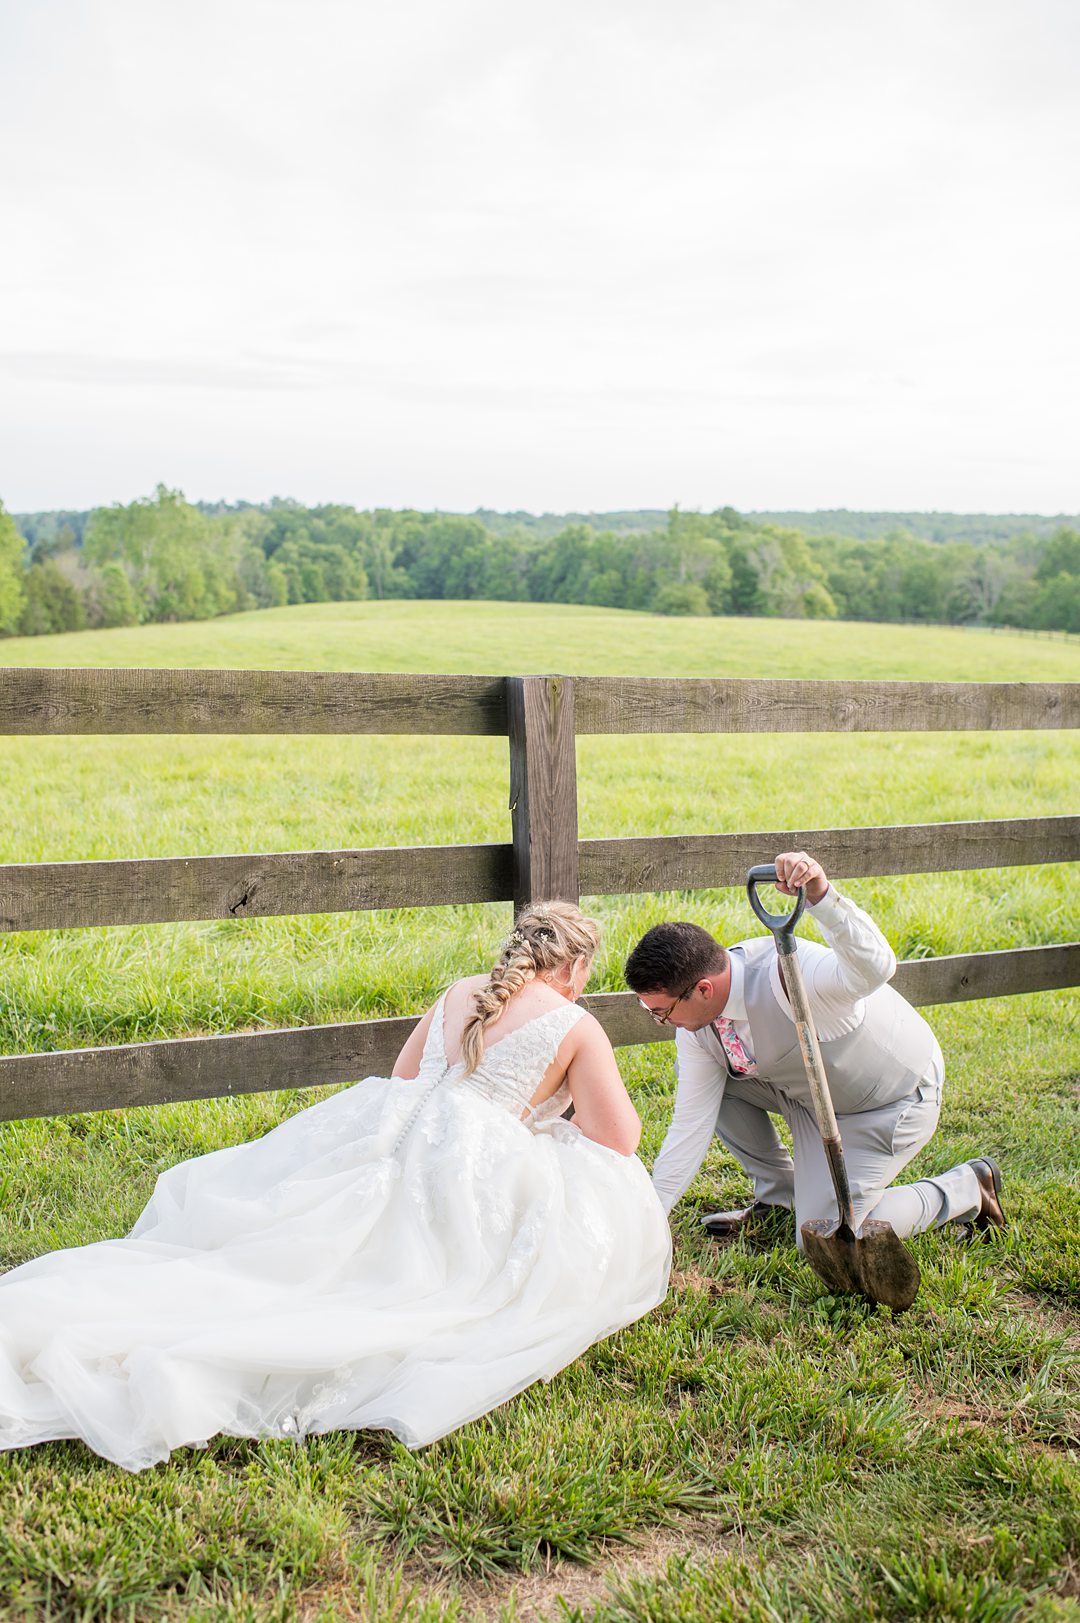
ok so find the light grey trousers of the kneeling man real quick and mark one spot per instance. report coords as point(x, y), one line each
point(878, 1147)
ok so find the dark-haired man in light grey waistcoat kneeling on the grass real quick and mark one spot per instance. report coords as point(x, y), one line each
point(738, 1062)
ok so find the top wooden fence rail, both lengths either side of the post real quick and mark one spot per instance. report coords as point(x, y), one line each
point(342, 702)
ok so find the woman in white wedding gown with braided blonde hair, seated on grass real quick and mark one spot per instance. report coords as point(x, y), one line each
point(407, 1254)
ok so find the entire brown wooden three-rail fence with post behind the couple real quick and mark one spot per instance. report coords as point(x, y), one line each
point(542, 718)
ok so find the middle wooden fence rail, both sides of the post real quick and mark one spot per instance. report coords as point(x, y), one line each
point(162, 890)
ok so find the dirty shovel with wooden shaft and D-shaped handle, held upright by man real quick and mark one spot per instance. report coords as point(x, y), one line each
point(871, 1264)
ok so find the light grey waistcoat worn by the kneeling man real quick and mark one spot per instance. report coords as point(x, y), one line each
point(875, 1065)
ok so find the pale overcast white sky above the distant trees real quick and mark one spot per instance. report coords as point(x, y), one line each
point(595, 254)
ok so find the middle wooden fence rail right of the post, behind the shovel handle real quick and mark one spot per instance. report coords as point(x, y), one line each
point(613, 867)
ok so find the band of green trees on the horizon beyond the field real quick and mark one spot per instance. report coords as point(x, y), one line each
point(165, 559)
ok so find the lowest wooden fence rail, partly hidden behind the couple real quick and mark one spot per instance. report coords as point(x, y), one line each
point(309, 1056)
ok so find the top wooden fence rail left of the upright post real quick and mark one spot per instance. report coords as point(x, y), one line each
point(248, 702)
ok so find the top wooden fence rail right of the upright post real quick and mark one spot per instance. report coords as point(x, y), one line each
point(782, 705)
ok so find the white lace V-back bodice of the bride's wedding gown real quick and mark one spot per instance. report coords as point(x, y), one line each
point(512, 1067)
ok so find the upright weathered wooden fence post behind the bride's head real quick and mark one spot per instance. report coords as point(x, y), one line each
point(543, 790)
